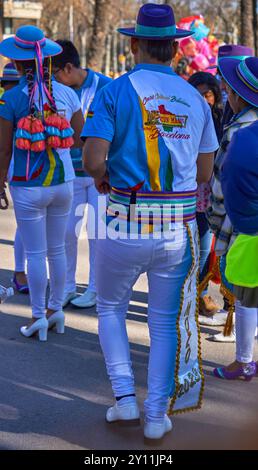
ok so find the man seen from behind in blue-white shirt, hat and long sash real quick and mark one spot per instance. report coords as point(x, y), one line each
point(158, 134)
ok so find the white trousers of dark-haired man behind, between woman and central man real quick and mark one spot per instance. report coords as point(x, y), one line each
point(84, 192)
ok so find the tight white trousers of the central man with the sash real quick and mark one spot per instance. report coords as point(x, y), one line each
point(119, 263)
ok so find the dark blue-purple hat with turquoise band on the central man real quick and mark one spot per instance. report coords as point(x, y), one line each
point(155, 22)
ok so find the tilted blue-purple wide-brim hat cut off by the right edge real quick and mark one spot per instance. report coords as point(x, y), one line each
point(242, 77)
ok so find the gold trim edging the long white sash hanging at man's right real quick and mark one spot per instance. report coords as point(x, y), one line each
point(177, 385)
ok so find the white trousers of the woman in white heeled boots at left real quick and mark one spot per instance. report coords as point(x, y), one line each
point(42, 215)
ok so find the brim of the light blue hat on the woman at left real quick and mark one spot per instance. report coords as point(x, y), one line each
point(8, 48)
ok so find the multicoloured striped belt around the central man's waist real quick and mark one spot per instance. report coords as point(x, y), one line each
point(152, 207)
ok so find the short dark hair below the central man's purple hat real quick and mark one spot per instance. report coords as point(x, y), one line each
point(159, 50)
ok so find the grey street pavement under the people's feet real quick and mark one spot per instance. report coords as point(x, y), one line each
point(54, 395)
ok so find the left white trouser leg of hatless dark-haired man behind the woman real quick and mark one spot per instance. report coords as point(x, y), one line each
point(73, 231)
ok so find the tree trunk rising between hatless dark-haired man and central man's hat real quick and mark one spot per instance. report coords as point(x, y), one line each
point(99, 33)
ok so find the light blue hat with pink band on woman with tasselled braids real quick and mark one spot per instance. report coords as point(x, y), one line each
point(22, 46)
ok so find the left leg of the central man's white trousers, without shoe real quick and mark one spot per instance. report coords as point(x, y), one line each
point(118, 266)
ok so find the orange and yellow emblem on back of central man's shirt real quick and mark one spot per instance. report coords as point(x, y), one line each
point(166, 119)
